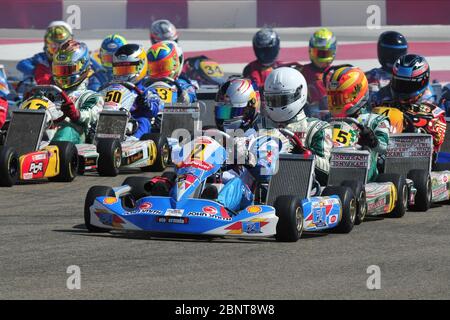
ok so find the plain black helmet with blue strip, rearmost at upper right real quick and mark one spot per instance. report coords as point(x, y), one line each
point(391, 46)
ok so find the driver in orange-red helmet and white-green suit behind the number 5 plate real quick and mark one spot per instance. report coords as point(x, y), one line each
point(348, 95)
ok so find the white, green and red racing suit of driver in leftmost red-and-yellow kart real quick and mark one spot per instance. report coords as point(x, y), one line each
point(81, 116)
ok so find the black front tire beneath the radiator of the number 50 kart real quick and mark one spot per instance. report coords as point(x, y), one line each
point(109, 157)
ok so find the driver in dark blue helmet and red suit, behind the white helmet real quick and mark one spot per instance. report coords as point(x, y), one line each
point(266, 45)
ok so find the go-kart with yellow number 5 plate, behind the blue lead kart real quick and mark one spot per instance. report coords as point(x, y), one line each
point(390, 194)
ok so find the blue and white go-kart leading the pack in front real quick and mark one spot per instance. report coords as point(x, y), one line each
point(288, 209)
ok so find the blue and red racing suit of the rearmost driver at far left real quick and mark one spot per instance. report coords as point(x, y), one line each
point(37, 67)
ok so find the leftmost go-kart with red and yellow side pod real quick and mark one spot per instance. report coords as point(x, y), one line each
point(25, 155)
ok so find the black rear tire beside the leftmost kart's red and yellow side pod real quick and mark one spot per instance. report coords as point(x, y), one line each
point(68, 161)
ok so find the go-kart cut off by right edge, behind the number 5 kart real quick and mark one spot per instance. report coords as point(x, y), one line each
point(412, 152)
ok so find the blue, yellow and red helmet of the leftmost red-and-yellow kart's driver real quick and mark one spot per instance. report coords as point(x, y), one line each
point(71, 64)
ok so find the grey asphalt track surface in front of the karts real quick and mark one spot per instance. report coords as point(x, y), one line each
point(42, 234)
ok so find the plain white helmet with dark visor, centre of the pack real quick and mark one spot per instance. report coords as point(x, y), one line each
point(285, 94)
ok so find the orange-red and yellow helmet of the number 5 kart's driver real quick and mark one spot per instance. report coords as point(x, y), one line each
point(347, 91)
